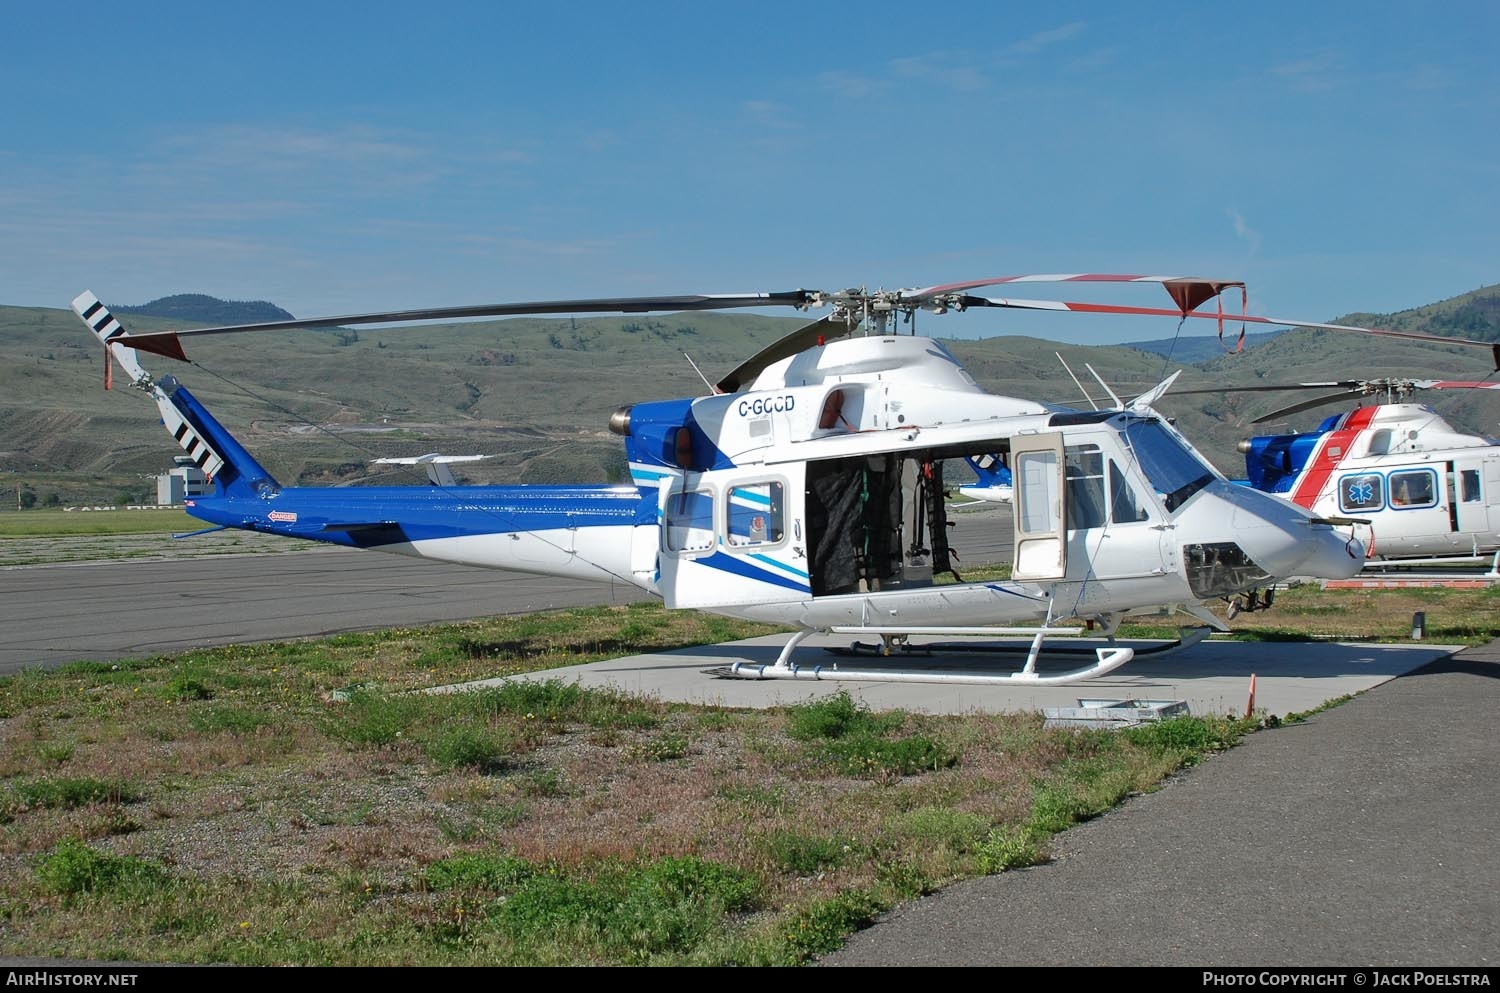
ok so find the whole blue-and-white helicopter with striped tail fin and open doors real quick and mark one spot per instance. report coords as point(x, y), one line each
point(806, 490)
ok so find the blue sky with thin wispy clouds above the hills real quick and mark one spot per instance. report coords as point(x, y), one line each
point(338, 158)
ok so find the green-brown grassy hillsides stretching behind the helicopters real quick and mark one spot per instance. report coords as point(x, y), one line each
point(536, 394)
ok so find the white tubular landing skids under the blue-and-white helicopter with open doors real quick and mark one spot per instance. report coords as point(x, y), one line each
point(1106, 659)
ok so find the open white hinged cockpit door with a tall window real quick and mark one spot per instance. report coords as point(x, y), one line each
point(1042, 514)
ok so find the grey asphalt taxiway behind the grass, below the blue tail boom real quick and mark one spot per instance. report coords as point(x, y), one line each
point(128, 610)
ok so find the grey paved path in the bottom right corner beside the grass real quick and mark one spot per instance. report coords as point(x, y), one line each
point(1369, 836)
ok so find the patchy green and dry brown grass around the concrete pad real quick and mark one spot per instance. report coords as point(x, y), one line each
point(302, 805)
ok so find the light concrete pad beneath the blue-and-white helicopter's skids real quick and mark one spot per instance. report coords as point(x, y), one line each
point(1213, 677)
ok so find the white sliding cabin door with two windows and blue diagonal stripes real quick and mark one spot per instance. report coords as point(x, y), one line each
point(733, 538)
